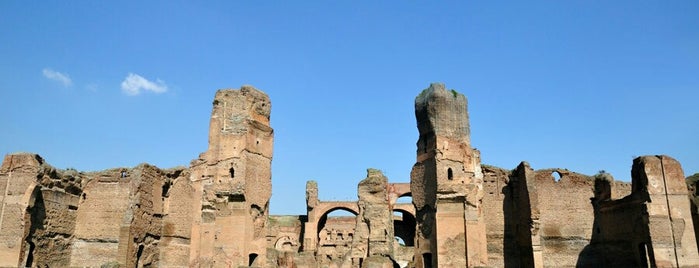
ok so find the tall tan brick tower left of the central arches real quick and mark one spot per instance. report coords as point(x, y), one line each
point(236, 184)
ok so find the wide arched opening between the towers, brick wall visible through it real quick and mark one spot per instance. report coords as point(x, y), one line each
point(335, 233)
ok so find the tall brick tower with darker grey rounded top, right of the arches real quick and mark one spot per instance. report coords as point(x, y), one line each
point(447, 183)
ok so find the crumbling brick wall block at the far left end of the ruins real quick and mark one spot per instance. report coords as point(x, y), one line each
point(38, 211)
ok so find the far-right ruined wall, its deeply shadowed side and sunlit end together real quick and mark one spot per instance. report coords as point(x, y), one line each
point(650, 227)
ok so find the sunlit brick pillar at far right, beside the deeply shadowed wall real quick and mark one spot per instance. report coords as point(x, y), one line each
point(670, 223)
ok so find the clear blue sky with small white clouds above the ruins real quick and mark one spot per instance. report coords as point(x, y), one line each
point(583, 85)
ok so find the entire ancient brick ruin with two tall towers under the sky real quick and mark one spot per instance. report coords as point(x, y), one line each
point(215, 213)
